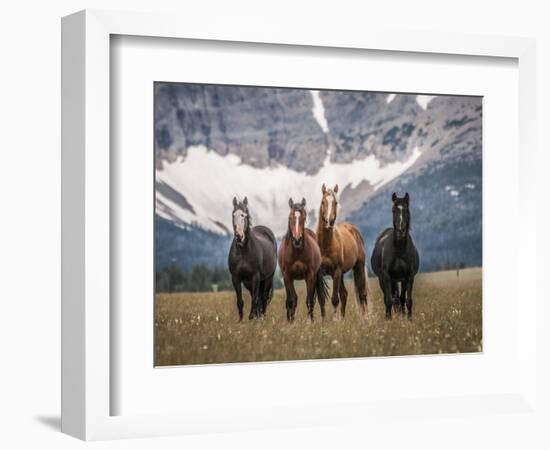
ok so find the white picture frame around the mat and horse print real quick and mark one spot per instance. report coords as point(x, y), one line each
point(87, 386)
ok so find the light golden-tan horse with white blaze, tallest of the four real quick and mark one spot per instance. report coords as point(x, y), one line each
point(342, 249)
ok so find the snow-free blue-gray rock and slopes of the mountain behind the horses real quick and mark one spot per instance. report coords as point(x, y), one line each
point(270, 126)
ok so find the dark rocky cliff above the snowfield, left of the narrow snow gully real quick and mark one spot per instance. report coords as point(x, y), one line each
point(262, 126)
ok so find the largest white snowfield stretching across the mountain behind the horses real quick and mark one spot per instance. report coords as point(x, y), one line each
point(208, 181)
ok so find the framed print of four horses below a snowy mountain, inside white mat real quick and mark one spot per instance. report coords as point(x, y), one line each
point(300, 224)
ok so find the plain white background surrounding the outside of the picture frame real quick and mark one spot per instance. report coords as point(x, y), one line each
point(30, 187)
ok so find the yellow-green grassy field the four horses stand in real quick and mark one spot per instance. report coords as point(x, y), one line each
point(200, 328)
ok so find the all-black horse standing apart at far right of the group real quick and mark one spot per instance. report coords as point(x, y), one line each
point(395, 259)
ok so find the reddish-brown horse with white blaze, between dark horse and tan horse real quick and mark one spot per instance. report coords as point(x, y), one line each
point(300, 259)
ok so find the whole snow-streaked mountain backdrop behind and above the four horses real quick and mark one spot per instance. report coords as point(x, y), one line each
point(215, 142)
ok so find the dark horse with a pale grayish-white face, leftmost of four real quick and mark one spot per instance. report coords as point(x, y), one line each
point(252, 260)
